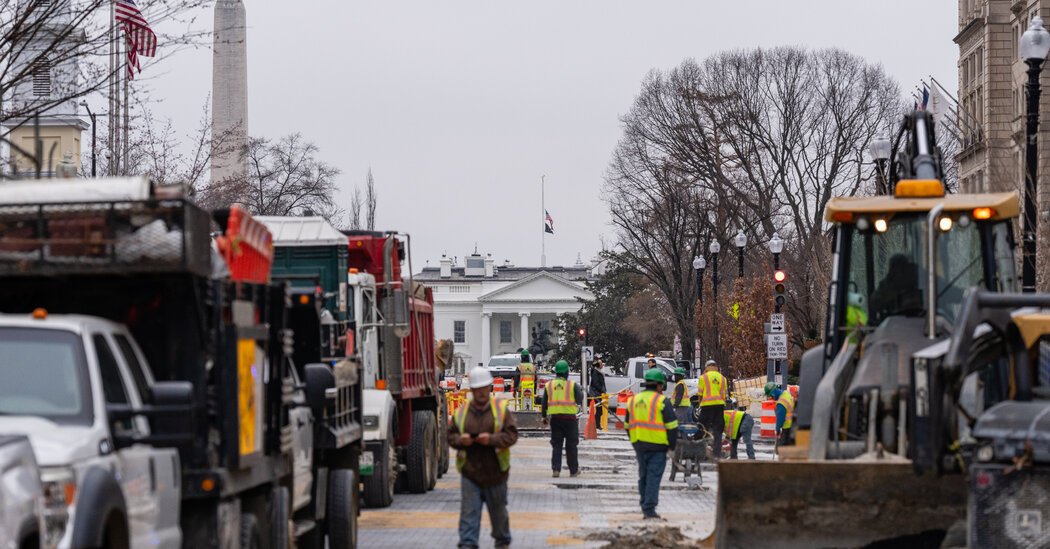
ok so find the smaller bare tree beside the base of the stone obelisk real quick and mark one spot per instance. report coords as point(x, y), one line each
point(284, 178)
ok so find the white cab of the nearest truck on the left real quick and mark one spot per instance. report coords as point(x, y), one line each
point(76, 386)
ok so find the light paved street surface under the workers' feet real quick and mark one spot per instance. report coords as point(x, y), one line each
point(547, 512)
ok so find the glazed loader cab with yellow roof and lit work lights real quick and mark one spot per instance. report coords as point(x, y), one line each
point(883, 257)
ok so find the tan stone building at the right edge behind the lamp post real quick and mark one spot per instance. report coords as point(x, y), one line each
point(993, 104)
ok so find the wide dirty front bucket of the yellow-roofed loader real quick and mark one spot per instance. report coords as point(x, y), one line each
point(834, 504)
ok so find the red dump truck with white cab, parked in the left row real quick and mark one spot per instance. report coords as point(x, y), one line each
point(405, 408)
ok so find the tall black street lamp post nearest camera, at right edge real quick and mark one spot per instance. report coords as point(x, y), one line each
point(1035, 47)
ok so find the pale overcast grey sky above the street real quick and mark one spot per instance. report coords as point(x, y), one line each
point(460, 107)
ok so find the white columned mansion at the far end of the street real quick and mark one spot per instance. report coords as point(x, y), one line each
point(492, 310)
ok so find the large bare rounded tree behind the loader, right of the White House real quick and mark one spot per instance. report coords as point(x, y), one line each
point(757, 141)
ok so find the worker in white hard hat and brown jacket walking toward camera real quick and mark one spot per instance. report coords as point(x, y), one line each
point(482, 434)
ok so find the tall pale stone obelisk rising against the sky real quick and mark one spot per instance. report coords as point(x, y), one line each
point(229, 91)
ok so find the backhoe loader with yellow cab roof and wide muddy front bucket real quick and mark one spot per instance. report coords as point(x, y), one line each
point(901, 267)
